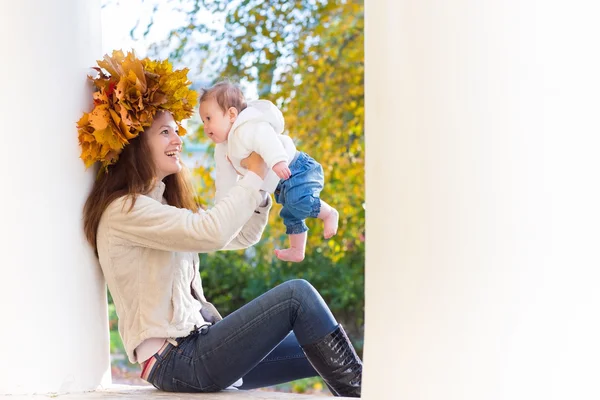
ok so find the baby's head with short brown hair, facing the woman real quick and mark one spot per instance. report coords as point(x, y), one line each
point(219, 108)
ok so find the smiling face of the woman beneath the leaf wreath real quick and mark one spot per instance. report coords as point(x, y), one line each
point(165, 145)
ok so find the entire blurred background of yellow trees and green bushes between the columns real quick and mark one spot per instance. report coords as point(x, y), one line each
point(307, 57)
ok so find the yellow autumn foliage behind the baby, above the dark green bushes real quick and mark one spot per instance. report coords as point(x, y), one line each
point(308, 58)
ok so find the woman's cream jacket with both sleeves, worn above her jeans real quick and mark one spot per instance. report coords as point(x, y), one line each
point(149, 258)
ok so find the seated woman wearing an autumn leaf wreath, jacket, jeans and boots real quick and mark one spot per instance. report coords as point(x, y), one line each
point(147, 230)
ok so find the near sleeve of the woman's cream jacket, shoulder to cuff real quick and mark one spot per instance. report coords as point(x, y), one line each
point(154, 225)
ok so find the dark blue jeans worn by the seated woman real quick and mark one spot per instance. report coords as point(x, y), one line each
point(253, 342)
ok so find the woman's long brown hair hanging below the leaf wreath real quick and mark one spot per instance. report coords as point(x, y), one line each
point(133, 174)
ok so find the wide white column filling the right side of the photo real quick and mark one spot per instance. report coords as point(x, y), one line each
point(483, 207)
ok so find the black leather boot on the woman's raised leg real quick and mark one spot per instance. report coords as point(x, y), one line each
point(335, 359)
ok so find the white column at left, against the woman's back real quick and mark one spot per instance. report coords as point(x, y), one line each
point(54, 334)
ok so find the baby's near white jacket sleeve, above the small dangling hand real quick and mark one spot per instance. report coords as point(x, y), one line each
point(262, 138)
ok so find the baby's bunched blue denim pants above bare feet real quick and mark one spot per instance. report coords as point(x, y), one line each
point(299, 194)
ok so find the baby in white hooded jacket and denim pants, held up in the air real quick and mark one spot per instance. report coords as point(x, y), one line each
point(238, 128)
